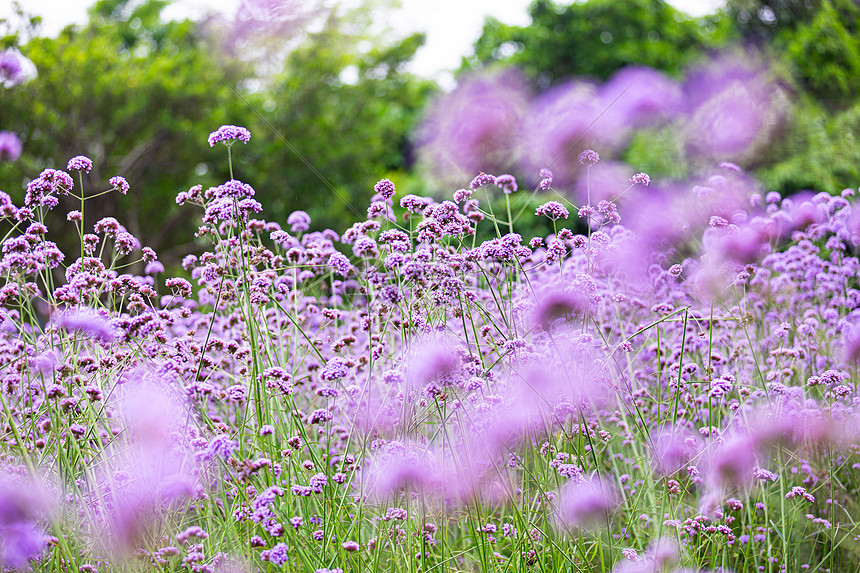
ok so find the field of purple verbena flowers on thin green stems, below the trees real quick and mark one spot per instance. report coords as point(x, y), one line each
point(665, 382)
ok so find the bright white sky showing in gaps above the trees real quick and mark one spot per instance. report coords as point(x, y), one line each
point(451, 25)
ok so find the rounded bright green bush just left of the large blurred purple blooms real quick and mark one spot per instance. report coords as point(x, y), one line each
point(338, 120)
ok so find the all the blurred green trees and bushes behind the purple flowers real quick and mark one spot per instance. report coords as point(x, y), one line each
point(332, 108)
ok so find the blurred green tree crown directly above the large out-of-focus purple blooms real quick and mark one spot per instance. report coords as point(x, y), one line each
point(597, 38)
